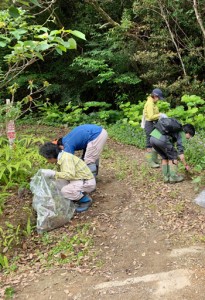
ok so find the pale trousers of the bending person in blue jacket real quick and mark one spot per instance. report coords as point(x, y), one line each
point(95, 147)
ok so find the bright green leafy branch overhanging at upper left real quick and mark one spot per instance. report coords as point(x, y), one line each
point(29, 42)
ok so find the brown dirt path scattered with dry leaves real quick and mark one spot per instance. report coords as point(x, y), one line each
point(146, 236)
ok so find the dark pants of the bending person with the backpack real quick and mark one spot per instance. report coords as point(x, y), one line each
point(164, 147)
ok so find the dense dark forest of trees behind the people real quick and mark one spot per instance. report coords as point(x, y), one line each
point(130, 48)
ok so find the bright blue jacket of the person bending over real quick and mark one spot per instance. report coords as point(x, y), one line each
point(80, 136)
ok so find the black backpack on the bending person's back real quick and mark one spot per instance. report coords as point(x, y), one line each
point(168, 126)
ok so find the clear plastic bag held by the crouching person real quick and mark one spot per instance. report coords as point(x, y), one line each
point(53, 210)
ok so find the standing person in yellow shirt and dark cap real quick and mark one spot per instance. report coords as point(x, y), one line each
point(151, 115)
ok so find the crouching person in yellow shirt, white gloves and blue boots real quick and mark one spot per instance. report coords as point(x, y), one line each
point(74, 176)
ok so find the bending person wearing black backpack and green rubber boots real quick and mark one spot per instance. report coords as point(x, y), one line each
point(164, 143)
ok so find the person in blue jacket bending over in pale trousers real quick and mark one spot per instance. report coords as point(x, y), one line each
point(90, 139)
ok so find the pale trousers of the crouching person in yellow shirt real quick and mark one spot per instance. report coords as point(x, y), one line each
point(74, 189)
